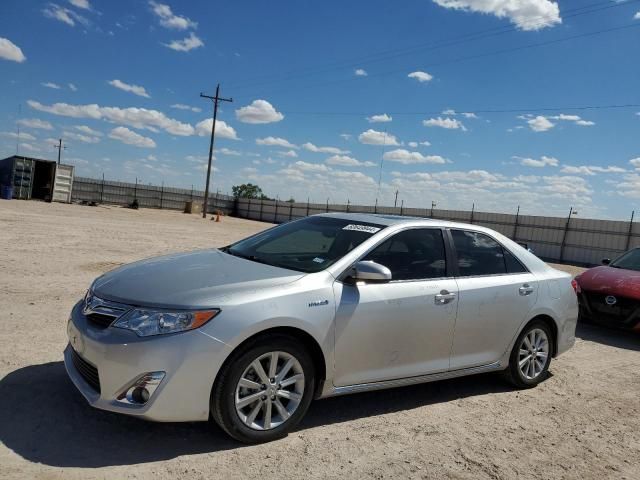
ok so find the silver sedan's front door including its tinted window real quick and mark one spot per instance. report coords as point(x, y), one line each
point(399, 329)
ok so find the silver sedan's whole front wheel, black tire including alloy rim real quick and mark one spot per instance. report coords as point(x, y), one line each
point(254, 411)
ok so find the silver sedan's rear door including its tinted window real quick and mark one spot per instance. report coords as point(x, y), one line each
point(496, 292)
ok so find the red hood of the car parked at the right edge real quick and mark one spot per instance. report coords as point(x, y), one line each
point(611, 281)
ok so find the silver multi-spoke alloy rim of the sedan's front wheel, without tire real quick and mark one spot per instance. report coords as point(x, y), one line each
point(269, 390)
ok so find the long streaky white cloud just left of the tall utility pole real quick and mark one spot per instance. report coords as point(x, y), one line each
point(134, 117)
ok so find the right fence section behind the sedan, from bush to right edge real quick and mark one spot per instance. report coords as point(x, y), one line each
point(578, 241)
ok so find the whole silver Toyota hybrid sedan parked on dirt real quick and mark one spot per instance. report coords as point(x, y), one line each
point(331, 304)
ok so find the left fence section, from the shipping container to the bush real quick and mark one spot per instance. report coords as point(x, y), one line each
point(149, 196)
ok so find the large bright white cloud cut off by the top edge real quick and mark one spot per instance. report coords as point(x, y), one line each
point(525, 14)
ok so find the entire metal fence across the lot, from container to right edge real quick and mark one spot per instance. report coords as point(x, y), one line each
point(579, 241)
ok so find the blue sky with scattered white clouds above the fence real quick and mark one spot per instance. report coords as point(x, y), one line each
point(454, 101)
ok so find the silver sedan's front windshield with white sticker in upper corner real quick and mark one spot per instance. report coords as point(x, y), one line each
point(308, 245)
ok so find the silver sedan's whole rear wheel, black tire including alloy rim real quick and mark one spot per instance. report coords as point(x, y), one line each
point(531, 373)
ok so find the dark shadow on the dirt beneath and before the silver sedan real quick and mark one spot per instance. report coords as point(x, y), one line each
point(44, 419)
